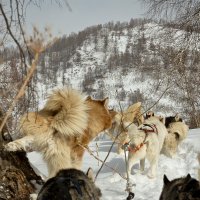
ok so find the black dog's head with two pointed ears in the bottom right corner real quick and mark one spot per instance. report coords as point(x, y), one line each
point(185, 188)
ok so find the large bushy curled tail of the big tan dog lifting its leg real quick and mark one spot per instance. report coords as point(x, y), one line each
point(68, 111)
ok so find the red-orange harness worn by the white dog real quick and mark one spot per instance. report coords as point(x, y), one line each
point(147, 131)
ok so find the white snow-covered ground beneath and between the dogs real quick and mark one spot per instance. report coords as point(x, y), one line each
point(113, 185)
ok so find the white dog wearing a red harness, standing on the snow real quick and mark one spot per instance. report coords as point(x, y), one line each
point(151, 135)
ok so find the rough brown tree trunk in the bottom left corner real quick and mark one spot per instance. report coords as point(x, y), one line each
point(17, 177)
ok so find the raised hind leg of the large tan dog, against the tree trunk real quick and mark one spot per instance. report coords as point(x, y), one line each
point(24, 143)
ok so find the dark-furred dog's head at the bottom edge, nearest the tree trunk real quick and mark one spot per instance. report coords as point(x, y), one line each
point(70, 184)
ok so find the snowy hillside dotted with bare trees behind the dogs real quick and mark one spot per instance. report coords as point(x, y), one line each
point(125, 61)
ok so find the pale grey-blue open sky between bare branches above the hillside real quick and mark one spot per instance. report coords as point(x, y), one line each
point(81, 14)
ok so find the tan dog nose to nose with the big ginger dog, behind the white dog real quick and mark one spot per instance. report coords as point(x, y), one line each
point(118, 133)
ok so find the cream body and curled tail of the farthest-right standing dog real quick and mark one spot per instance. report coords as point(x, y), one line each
point(177, 132)
